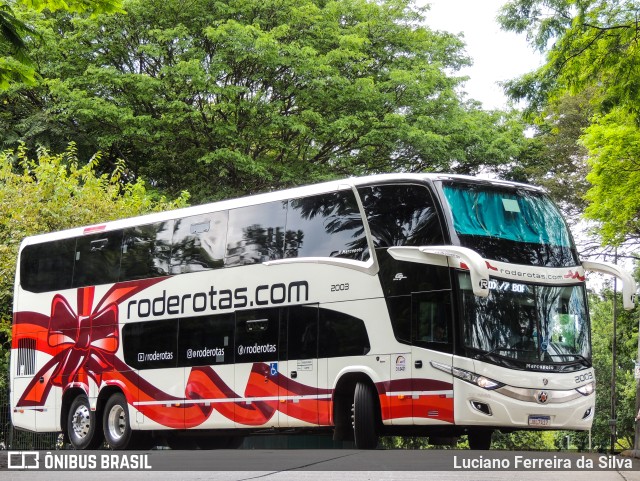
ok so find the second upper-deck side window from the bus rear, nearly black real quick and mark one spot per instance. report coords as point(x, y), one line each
point(97, 259)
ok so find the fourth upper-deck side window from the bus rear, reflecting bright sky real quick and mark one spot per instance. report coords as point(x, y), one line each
point(198, 242)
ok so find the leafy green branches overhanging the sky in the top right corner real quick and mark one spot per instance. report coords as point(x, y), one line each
point(589, 44)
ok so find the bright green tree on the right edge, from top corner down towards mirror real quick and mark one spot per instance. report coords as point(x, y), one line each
point(592, 49)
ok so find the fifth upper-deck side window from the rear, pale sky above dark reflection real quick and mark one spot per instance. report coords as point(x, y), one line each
point(256, 234)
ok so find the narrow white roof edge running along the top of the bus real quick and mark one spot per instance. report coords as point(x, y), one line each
point(302, 191)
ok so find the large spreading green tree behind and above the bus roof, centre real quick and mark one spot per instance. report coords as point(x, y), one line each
point(228, 98)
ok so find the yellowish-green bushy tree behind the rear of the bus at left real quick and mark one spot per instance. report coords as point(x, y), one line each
point(55, 192)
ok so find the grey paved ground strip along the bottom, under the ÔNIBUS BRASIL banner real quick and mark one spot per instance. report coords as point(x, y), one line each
point(289, 465)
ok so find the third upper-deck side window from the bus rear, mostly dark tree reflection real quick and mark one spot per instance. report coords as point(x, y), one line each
point(146, 251)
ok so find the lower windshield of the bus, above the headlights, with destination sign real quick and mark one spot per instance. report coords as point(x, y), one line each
point(528, 323)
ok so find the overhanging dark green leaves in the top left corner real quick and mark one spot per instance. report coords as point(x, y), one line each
point(15, 63)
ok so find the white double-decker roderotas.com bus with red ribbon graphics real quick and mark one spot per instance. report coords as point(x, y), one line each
point(417, 304)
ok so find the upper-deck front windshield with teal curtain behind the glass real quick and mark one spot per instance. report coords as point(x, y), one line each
point(516, 226)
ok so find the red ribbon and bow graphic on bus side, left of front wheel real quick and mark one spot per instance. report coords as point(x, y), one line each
point(83, 342)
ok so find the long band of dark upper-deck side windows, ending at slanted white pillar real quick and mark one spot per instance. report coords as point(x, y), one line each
point(323, 225)
